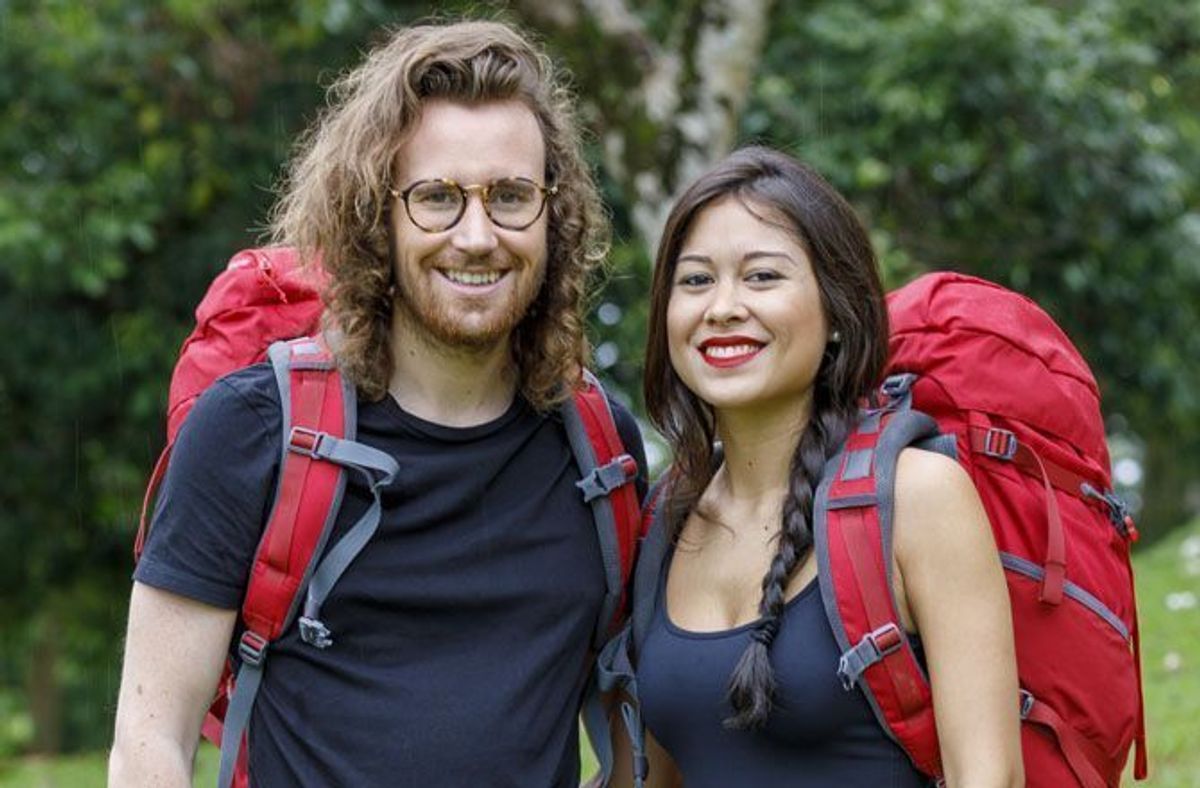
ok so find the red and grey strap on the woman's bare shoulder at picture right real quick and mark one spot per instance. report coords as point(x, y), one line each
point(853, 531)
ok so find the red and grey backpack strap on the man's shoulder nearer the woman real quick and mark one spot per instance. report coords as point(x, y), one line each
point(608, 476)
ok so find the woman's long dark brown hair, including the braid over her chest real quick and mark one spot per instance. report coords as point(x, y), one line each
point(779, 189)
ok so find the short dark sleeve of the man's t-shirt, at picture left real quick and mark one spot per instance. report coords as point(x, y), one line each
point(218, 492)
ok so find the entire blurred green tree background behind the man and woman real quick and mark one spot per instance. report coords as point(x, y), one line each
point(1053, 147)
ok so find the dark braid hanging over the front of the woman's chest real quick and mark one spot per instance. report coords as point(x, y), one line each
point(753, 682)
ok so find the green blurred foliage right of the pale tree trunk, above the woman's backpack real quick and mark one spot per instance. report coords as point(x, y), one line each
point(1052, 148)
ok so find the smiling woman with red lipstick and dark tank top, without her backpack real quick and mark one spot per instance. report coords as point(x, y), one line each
point(767, 332)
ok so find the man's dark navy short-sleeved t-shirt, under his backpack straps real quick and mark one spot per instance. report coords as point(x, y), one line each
point(461, 634)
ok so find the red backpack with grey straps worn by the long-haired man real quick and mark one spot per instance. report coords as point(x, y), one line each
point(263, 305)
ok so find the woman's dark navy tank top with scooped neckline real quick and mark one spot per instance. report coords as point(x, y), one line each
point(818, 735)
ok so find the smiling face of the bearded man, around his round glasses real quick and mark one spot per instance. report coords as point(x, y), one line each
point(467, 287)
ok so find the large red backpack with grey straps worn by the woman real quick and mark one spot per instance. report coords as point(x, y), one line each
point(1009, 395)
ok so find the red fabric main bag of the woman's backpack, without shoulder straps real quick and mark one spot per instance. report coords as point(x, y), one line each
point(987, 356)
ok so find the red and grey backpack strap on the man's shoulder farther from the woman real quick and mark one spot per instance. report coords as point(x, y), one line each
point(320, 423)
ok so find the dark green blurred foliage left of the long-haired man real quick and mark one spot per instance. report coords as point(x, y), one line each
point(141, 141)
